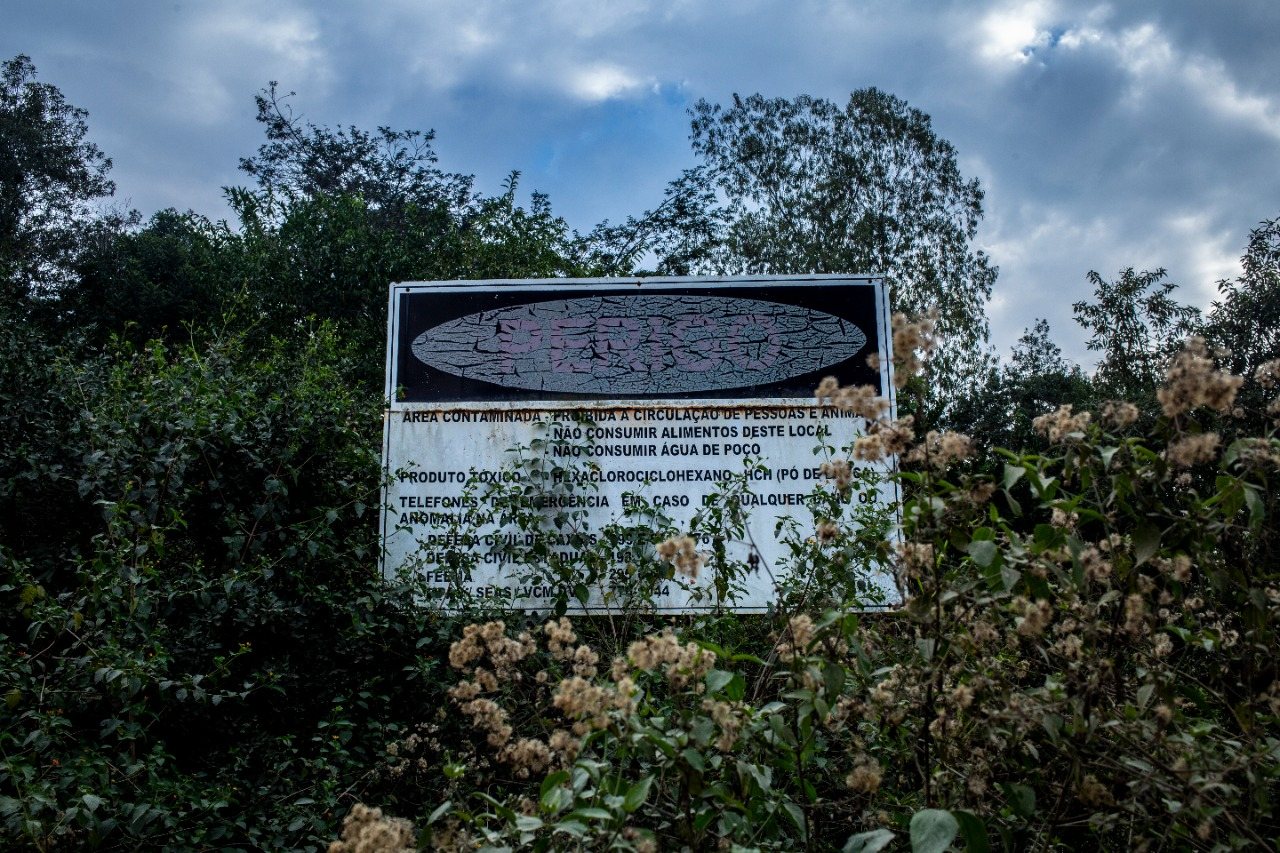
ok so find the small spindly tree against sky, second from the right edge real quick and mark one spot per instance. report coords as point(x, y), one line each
point(1137, 327)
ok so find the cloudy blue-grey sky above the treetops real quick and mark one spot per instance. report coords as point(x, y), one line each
point(1105, 135)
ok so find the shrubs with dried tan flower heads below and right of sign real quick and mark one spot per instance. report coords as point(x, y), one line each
point(1084, 660)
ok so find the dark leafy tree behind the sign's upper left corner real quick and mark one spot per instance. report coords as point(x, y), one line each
point(339, 215)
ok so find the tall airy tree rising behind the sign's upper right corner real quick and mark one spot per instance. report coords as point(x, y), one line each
point(806, 186)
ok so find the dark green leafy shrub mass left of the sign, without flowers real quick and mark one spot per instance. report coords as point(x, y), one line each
point(189, 595)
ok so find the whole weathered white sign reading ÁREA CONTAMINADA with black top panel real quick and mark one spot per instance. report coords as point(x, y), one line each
point(653, 393)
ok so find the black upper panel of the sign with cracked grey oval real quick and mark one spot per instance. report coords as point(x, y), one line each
point(628, 343)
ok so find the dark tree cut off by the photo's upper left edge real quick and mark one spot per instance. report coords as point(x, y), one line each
point(49, 177)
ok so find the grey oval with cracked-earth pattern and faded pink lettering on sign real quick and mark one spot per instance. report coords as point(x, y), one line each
point(639, 345)
